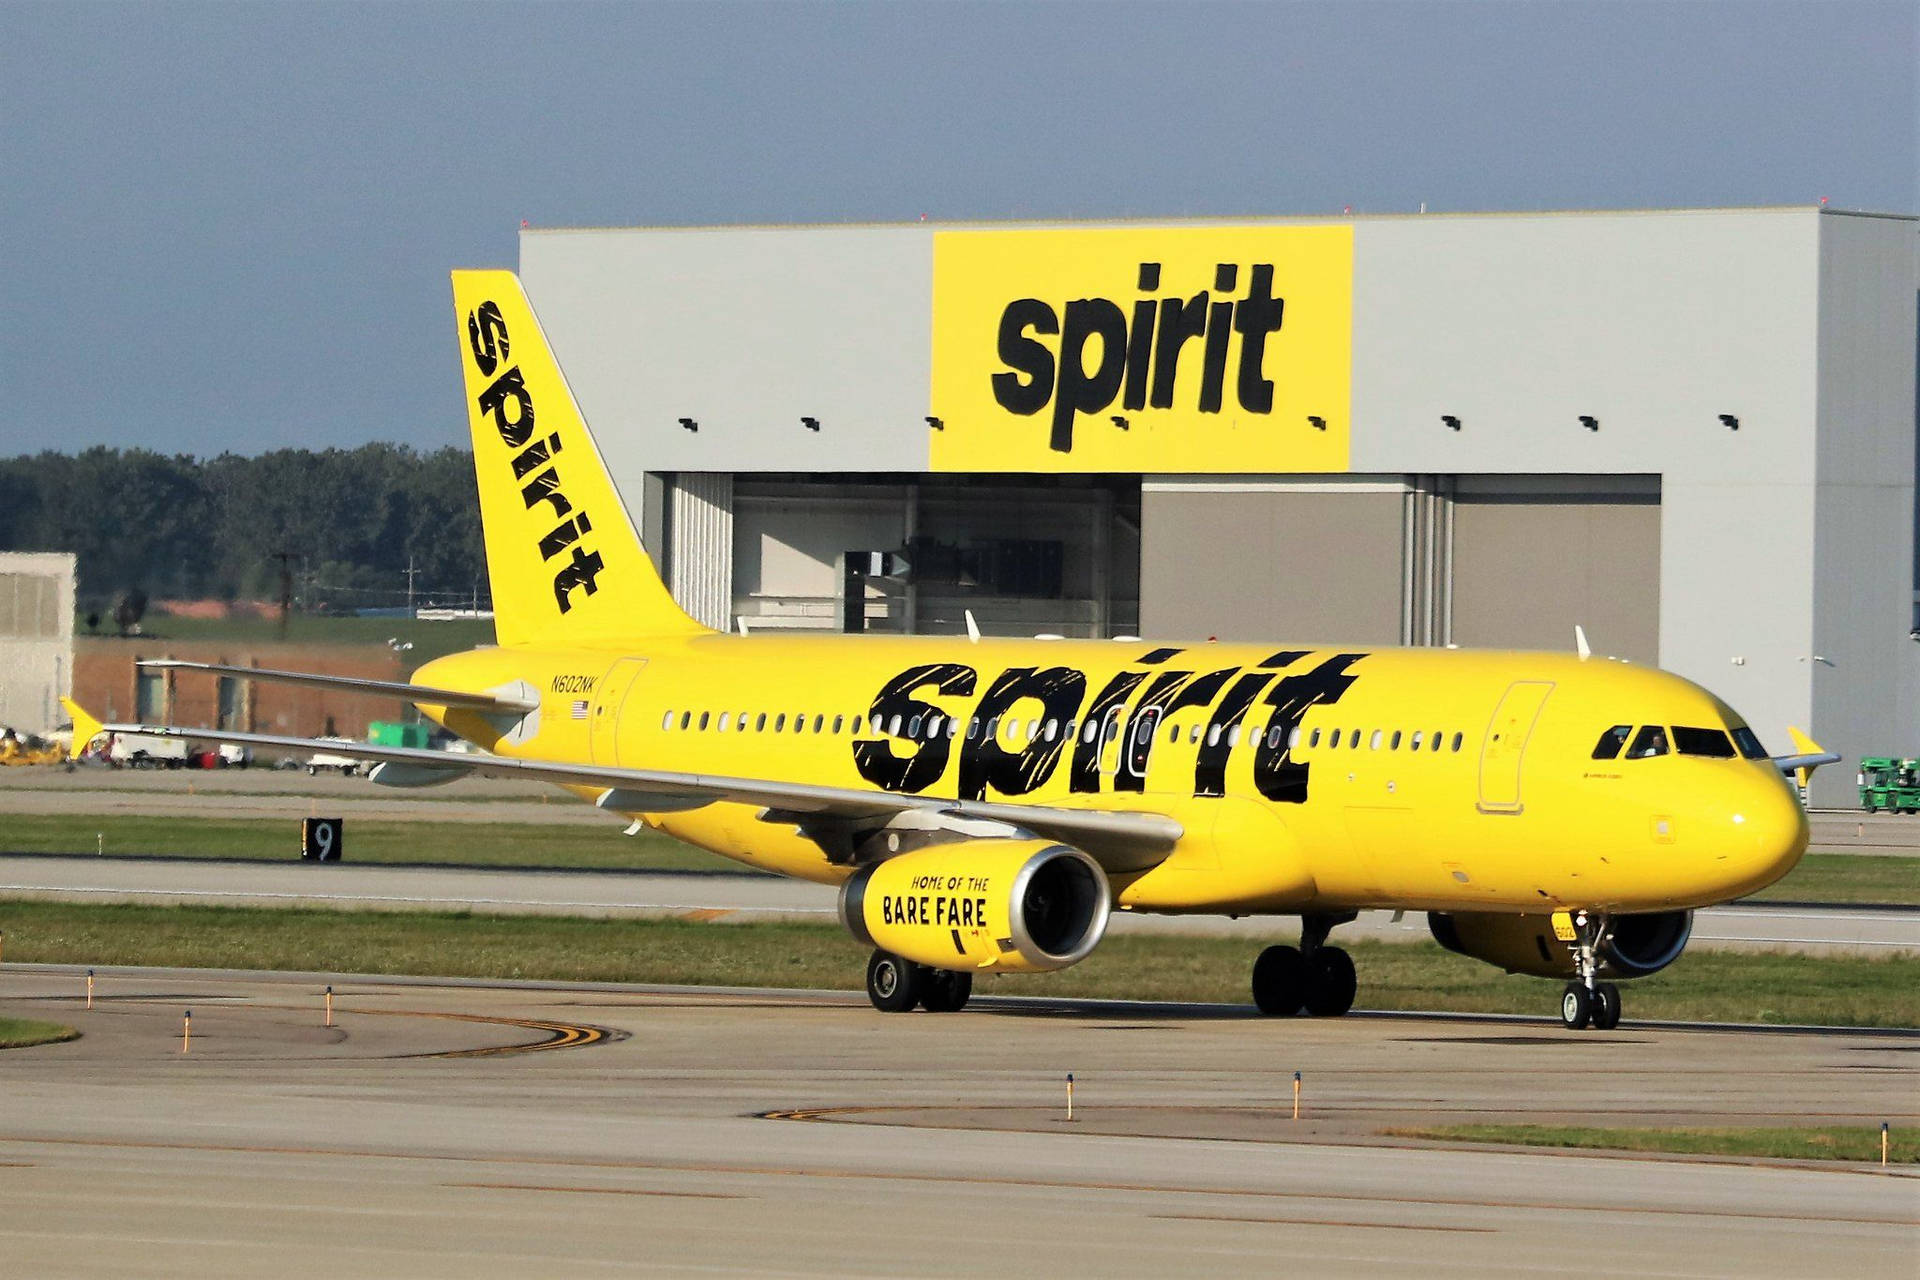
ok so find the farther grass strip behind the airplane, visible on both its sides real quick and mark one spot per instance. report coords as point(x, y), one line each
point(1819, 878)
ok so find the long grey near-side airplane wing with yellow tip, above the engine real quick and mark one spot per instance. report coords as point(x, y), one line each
point(1116, 840)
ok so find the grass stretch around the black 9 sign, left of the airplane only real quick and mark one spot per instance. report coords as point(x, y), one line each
point(375, 841)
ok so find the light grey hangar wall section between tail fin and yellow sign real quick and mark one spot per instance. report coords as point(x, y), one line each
point(742, 331)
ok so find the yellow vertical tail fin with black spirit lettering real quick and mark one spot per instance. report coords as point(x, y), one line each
point(562, 552)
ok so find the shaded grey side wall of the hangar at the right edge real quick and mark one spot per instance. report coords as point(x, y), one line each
point(1865, 498)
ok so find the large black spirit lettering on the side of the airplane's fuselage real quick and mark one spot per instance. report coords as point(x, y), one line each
point(1109, 736)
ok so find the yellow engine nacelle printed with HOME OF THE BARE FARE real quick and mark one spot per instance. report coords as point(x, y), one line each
point(1017, 907)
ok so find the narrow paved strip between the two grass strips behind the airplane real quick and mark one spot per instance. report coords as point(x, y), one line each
point(1873, 932)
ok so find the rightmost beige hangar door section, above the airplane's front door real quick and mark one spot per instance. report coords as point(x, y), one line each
point(1535, 556)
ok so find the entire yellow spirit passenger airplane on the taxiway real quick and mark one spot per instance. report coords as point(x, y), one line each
point(988, 803)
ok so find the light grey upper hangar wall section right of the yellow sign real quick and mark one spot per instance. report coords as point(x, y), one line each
point(1654, 323)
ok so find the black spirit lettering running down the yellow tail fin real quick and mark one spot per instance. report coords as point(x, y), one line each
point(512, 406)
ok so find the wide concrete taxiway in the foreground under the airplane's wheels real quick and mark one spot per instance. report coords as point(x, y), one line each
point(385, 1147)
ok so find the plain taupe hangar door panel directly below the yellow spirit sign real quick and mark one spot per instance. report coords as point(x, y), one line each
point(1272, 563)
